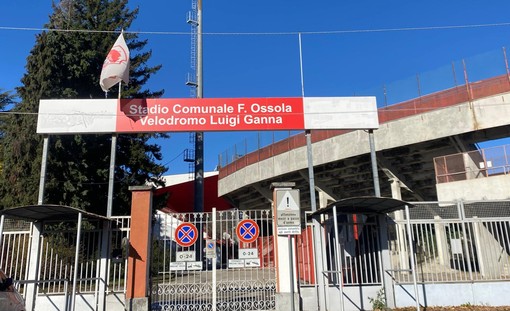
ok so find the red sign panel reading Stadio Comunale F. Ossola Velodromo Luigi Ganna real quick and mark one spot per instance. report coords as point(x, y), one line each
point(209, 114)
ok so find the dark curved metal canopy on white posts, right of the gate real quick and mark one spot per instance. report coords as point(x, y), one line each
point(377, 206)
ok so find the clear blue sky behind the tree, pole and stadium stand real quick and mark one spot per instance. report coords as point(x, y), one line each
point(251, 49)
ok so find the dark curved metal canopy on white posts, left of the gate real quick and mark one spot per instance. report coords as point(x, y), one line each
point(47, 212)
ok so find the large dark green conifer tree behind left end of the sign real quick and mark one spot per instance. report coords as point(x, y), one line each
point(65, 63)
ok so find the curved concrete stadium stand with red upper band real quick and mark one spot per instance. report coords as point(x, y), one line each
point(410, 136)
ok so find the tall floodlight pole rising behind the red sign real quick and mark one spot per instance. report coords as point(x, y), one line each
point(199, 136)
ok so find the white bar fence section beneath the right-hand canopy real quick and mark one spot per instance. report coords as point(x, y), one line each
point(357, 252)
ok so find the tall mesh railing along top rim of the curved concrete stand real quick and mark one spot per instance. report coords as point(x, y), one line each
point(414, 94)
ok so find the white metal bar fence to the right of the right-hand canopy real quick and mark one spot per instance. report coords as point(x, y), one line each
point(454, 242)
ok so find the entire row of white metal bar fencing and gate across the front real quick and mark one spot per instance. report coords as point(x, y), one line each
point(453, 242)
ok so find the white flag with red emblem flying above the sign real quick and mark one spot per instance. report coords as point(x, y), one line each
point(116, 65)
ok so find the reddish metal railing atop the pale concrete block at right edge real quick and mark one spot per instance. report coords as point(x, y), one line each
point(472, 165)
